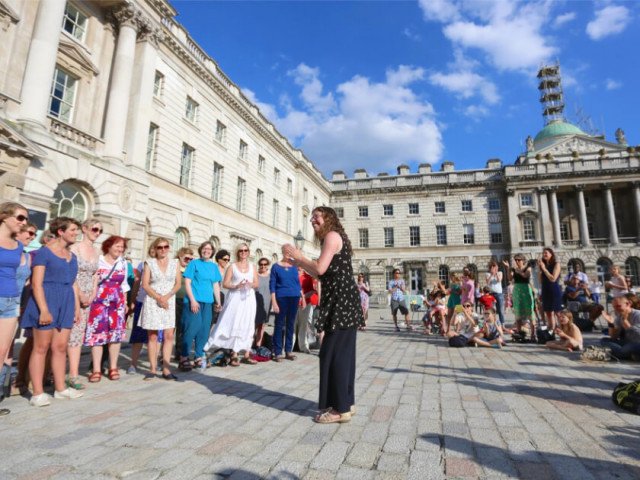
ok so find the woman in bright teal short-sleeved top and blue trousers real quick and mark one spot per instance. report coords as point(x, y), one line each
point(202, 285)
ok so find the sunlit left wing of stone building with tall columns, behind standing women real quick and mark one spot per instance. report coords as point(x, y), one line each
point(110, 109)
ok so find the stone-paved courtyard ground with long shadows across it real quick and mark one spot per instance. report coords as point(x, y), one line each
point(424, 411)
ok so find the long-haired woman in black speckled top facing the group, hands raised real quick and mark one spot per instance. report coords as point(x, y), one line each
point(340, 315)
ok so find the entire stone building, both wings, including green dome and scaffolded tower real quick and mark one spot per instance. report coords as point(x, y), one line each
point(110, 109)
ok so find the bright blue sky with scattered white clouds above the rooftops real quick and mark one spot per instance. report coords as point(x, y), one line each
point(376, 84)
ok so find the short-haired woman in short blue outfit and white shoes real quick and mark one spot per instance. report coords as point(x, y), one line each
point(52, 309)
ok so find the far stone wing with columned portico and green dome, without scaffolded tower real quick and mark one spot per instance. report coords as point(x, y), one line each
point(577, 193)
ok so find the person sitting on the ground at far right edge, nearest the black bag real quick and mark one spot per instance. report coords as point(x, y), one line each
point(624, 331)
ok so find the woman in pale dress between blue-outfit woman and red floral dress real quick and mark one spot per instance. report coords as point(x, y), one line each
point(88, 257)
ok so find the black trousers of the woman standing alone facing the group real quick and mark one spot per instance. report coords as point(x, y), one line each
point(338, 370)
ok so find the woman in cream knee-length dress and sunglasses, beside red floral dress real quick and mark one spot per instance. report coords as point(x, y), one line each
point(161, 282)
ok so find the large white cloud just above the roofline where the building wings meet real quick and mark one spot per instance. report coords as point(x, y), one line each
point(362, 124)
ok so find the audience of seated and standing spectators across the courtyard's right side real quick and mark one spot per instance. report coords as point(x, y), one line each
point(553, 310)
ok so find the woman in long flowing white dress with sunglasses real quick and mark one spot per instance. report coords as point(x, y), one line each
point(236, 325)
